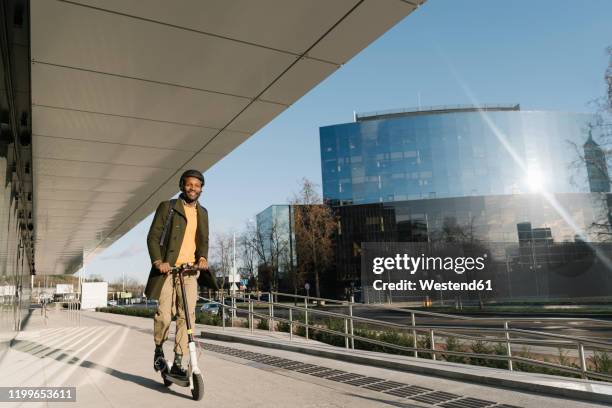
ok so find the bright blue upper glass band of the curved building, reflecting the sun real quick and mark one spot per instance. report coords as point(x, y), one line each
point(437, 154)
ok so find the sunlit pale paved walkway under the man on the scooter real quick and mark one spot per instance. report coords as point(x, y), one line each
point(108, 359)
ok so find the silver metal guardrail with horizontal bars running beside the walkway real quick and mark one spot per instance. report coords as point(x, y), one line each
point(505, 334)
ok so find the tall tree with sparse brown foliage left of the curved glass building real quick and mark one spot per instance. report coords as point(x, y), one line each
point(315, 224)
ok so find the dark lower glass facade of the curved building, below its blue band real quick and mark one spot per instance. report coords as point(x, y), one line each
point(507, 223)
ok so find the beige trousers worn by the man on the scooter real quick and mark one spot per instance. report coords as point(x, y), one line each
point(171, 304)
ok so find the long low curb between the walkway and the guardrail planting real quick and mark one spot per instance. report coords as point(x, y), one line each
point(516, 384)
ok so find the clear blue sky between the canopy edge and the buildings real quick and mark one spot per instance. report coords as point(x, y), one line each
point(543, 54)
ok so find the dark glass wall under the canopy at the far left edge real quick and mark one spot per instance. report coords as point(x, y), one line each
point(16, 186)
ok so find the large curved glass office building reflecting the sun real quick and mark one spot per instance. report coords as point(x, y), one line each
point(527, 185)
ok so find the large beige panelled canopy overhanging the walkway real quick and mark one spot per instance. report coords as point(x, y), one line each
point(127, 94)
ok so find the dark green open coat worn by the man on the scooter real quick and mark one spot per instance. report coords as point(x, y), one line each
point(174, 239)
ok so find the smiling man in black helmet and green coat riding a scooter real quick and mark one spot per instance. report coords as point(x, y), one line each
point(178, 236)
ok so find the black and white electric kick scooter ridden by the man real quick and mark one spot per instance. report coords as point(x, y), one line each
point(194, 375)
